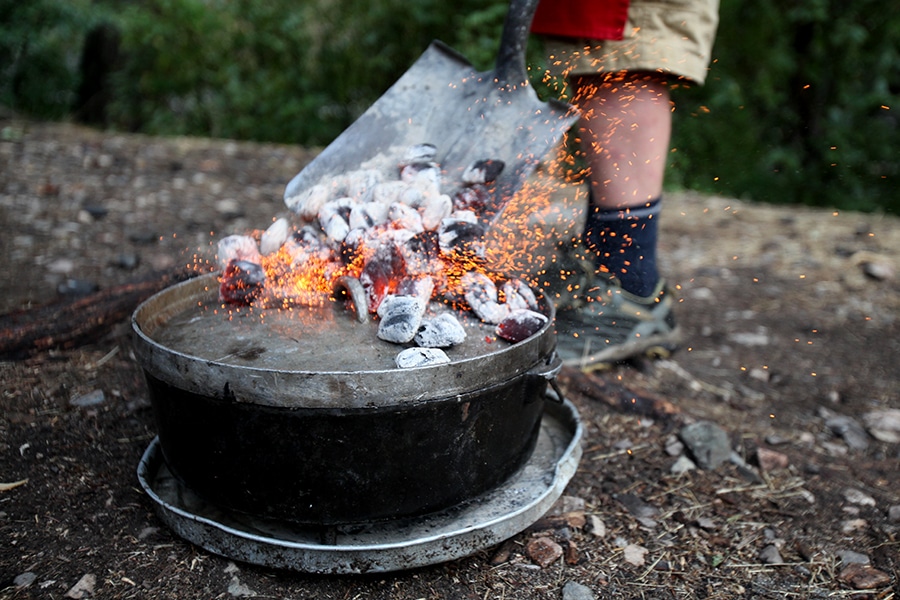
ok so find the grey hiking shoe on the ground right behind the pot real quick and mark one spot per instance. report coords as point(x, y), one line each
point(606, 324)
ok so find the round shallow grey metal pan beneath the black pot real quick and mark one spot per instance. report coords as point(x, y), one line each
point(386, 546)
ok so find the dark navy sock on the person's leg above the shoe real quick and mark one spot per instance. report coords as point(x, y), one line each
point(624, 245)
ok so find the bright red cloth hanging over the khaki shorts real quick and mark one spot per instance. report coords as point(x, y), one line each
point(591, 19)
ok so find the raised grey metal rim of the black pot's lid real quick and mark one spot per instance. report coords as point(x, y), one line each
point(324, 389)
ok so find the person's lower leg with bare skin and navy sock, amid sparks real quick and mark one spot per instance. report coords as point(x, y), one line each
point(625, 132)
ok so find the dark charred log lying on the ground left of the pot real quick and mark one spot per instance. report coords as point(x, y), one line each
point(66, 324)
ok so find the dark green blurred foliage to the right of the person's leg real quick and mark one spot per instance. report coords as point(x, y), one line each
point(800, 106)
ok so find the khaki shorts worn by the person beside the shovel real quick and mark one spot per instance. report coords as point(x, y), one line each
point(673, 37)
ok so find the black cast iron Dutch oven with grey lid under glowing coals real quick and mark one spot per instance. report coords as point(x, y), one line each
point(273, 439)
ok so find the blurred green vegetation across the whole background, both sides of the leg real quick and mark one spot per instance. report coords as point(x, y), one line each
point(800, 107)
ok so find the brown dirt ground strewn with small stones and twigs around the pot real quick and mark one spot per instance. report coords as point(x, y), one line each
point(792, 329)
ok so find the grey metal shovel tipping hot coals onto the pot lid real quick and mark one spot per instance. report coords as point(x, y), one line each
point(468, 115)
